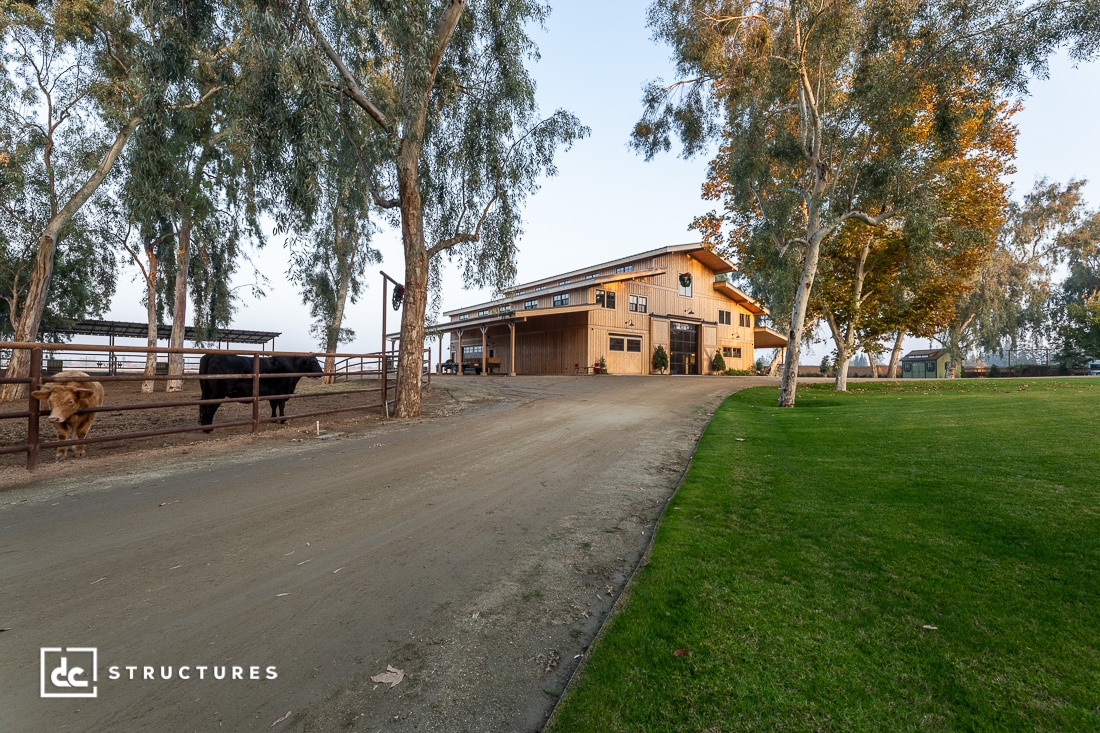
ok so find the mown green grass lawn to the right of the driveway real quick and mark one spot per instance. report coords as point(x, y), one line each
point(900, 557)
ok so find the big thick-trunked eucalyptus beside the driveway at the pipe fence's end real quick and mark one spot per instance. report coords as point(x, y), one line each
point(444, 86)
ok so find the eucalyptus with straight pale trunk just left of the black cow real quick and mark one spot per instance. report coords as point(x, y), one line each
point(185, 172)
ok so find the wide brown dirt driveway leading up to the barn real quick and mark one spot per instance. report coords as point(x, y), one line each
point(477, 551)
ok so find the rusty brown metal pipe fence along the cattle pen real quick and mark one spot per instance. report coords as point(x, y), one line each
point(366, 378)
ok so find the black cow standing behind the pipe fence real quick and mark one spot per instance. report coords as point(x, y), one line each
point(227, 364)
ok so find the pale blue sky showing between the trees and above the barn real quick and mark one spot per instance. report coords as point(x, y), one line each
point(607, 202)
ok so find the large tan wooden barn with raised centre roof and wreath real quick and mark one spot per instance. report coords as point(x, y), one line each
point(679, 298)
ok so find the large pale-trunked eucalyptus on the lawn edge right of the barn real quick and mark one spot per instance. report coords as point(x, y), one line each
point(815, 108)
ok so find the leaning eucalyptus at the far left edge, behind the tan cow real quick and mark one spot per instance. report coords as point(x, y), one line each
point(69, 110)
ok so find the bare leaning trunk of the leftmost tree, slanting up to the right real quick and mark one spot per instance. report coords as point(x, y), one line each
point(35, 304)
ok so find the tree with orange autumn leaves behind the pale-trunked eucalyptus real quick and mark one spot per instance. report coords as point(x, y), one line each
point(908, 277)
